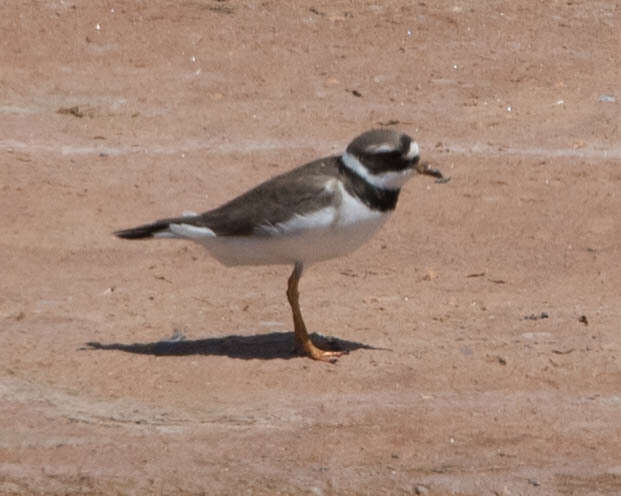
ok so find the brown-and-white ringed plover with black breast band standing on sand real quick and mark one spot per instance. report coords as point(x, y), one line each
point(321, 210)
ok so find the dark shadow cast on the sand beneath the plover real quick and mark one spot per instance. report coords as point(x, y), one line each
point(260, 346)
